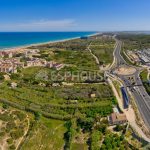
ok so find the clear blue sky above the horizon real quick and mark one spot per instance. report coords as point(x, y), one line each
point(74, 15)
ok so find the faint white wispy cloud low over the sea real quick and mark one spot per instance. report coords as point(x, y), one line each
point(41, 25)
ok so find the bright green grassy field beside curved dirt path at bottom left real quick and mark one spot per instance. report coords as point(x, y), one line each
point(47, 134)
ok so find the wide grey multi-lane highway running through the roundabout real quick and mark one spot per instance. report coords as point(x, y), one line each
point(140, 95)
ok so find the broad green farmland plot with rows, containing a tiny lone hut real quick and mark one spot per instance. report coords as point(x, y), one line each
point(62, 100)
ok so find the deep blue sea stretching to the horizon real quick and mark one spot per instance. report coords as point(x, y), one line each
point(10, 40)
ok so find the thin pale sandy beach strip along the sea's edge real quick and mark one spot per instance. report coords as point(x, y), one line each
point(24, 48)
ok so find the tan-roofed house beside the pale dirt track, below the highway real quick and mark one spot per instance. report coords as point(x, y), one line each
point(116, 119)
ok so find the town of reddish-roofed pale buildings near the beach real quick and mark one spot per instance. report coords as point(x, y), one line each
point(10, 62)
